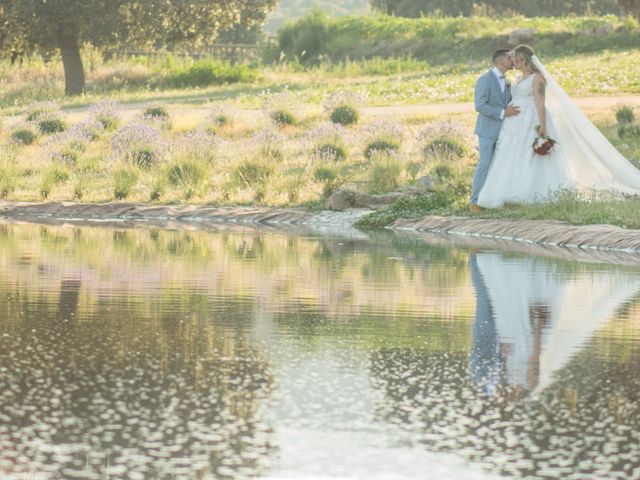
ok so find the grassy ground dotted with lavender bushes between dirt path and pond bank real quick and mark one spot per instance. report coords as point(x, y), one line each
point(291, 154)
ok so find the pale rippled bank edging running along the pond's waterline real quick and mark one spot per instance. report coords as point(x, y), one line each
point(546, 233)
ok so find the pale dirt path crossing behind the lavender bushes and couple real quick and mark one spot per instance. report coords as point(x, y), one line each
point(198, 112)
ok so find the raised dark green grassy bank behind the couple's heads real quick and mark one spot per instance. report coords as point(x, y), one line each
point(448, 41)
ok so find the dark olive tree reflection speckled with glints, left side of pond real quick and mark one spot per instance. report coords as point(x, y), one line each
point(155, 396)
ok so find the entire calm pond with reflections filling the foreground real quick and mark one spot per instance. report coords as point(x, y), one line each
point(148, 353)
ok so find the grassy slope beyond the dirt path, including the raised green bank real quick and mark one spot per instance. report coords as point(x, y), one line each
point(391, 60)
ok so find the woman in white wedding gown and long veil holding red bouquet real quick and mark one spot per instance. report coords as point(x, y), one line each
point(582, 160)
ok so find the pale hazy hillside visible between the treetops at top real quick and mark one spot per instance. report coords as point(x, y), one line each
point(294, 9)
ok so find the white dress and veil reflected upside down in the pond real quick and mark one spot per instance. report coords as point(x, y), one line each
point(578, 304)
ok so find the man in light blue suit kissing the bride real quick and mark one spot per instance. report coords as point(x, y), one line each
point(491, 98)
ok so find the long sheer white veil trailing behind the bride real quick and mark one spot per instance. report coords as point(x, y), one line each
point(594, 163)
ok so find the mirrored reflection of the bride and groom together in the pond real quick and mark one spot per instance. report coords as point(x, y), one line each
point(532, 316)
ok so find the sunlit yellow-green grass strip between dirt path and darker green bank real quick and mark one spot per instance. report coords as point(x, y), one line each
point(382, 81)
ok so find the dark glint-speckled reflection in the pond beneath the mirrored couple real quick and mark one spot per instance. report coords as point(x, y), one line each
point(584, 425)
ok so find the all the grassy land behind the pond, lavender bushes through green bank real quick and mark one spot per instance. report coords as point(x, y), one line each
point(295, 153)
